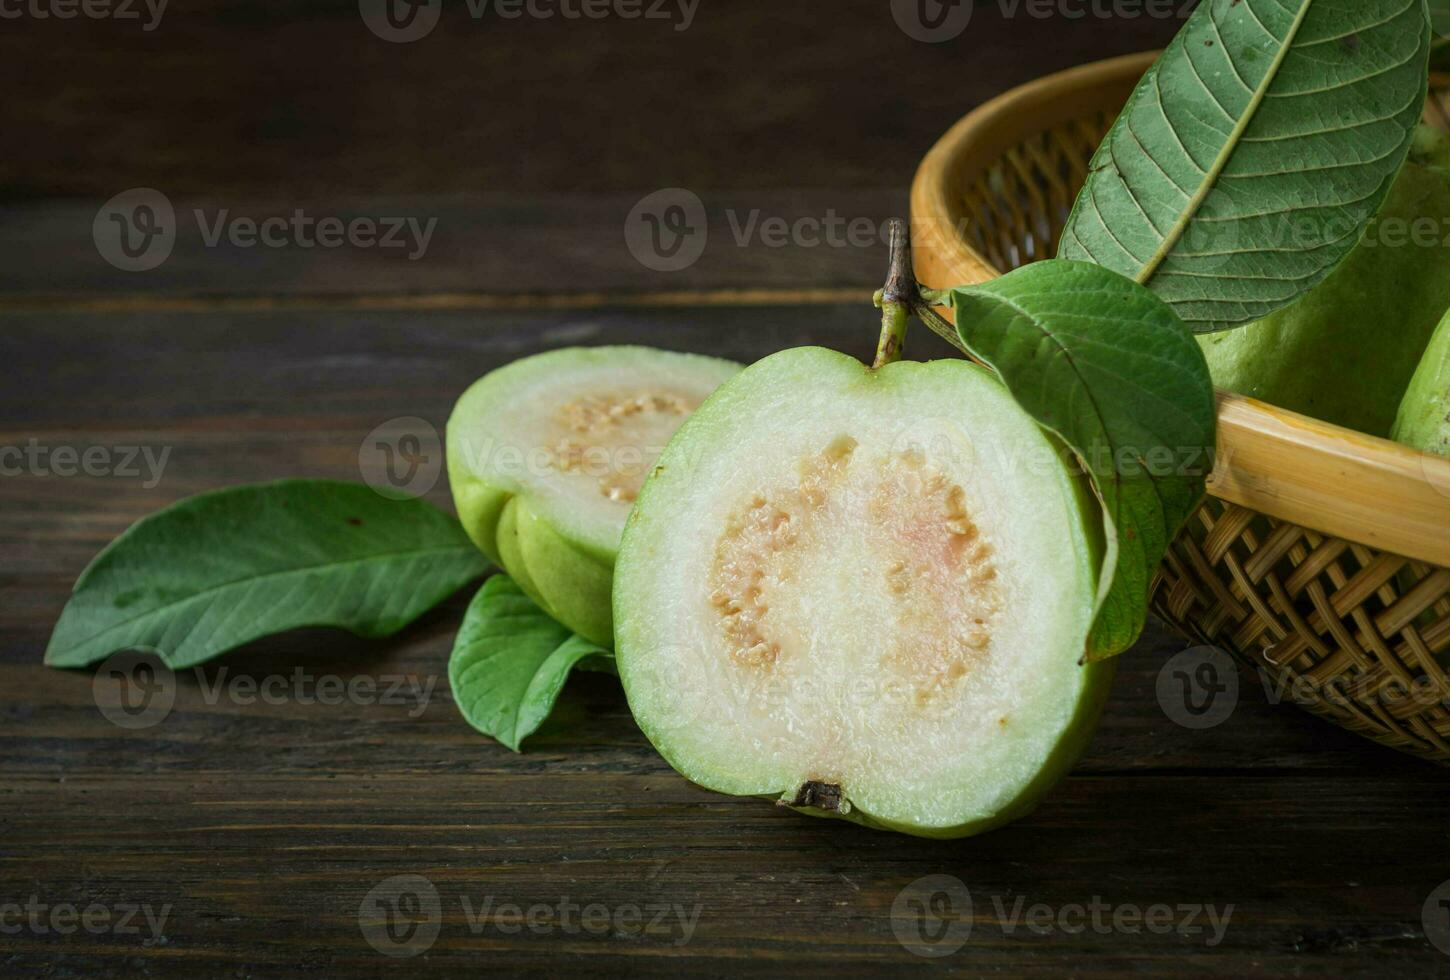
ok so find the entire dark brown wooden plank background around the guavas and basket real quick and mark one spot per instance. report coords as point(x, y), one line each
point(265, 826)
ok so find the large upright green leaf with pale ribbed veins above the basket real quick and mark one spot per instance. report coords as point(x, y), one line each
point(1252, 156)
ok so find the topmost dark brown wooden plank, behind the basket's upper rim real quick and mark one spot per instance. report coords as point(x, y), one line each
point(305, 104)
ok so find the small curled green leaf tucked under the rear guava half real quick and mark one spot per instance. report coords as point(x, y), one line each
point(511, 662)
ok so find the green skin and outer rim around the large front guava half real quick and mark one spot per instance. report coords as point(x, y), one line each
point(821, 369)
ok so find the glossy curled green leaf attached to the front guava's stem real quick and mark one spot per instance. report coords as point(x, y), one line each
point(1116, 375)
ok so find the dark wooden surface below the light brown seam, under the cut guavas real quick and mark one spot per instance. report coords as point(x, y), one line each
point(266, 826)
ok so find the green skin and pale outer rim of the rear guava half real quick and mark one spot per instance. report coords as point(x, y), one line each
point(563, 566)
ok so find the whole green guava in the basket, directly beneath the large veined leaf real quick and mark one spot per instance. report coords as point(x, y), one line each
point(1346, 350)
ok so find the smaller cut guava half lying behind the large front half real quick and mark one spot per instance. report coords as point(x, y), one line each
point(546, 457)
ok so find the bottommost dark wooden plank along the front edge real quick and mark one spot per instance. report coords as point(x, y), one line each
point(263, 873)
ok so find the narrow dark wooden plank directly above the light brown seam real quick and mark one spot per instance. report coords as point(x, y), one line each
point(478, 247)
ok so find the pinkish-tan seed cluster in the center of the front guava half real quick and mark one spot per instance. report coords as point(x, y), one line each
point(935, 569)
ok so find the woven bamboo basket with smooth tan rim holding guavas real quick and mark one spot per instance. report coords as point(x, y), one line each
point(1322, 557)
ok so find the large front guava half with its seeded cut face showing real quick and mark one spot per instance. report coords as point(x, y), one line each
point(863, 594)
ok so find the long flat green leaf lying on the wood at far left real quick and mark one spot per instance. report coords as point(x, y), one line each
point(221, 569)
